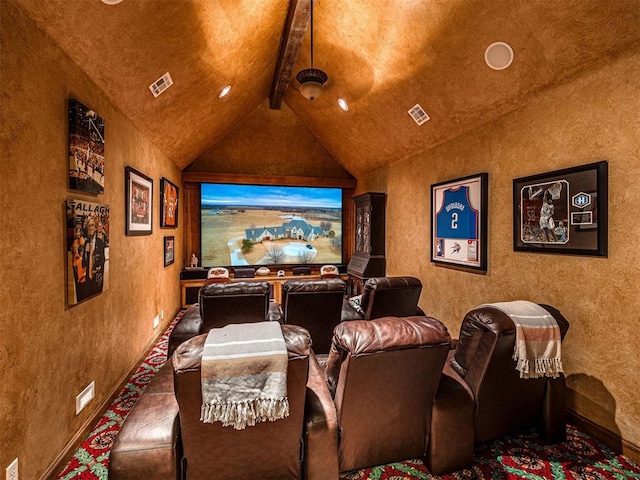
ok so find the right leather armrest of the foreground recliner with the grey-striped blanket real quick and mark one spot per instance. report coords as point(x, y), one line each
point(321, 427)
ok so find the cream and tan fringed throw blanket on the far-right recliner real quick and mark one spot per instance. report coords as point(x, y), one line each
point(537, 346)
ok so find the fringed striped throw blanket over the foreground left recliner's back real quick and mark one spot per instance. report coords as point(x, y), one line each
point(244, 375)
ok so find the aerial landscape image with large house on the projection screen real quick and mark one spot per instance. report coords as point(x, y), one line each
point(270, 225)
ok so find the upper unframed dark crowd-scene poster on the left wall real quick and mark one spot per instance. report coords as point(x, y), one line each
point(86, 149)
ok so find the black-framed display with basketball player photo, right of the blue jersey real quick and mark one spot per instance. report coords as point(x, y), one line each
point(564, 211)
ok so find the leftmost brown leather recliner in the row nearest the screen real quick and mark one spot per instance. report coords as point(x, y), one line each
point(221, 304)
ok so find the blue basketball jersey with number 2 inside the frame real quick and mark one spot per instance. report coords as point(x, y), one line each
point(456, 218)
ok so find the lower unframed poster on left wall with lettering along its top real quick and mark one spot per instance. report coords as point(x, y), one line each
point(87, 250)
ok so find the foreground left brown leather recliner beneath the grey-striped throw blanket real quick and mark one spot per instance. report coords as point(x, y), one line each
point(271, 450)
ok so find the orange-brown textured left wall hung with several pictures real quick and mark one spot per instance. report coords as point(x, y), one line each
point(48, 351)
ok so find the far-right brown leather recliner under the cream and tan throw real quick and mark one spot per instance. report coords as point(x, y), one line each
point(503, 403)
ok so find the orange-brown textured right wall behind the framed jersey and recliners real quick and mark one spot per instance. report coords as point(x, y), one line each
point(592, 117)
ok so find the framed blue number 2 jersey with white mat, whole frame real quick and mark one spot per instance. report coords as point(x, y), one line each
point(459, 222)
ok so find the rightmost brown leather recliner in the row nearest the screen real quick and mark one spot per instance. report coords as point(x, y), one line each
point(384, 297)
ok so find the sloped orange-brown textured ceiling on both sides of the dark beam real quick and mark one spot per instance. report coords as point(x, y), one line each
point(382, 56)
